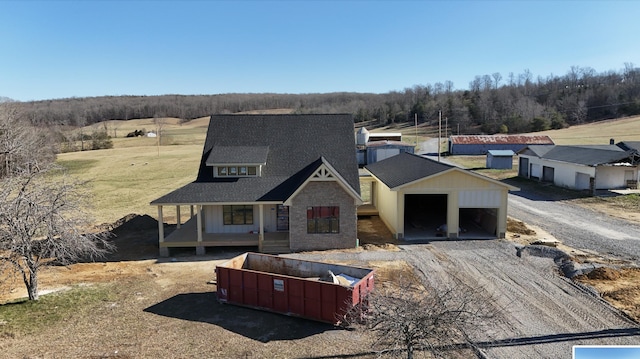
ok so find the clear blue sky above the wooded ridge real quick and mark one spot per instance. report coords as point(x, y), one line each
point(59, 49)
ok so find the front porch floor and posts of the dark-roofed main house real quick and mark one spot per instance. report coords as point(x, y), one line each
point(191, 234)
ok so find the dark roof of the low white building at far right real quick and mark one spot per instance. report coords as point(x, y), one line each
point(589, 155)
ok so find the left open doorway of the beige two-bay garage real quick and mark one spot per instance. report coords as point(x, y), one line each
point(423, 215)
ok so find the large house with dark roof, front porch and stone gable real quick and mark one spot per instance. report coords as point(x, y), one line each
point(279, 182)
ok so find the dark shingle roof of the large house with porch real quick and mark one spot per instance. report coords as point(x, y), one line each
point(294, 145)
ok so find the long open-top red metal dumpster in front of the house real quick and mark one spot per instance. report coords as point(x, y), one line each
point(293, 287)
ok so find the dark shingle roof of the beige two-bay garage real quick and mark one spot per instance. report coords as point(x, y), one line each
point(405, 168)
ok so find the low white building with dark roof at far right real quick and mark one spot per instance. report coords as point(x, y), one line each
point(596, 167)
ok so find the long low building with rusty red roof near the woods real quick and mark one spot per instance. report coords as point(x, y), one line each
point(480, 144)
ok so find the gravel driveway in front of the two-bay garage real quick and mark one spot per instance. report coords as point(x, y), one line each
point(545, 314)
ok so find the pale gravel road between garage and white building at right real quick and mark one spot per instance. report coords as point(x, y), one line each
point(576, 226)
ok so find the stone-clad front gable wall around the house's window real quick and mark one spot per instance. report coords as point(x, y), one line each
point(322, 194)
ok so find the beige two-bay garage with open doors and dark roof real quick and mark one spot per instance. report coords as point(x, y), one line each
point(419, 198)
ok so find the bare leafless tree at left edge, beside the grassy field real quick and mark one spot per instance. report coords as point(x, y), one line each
point(43, 221)
